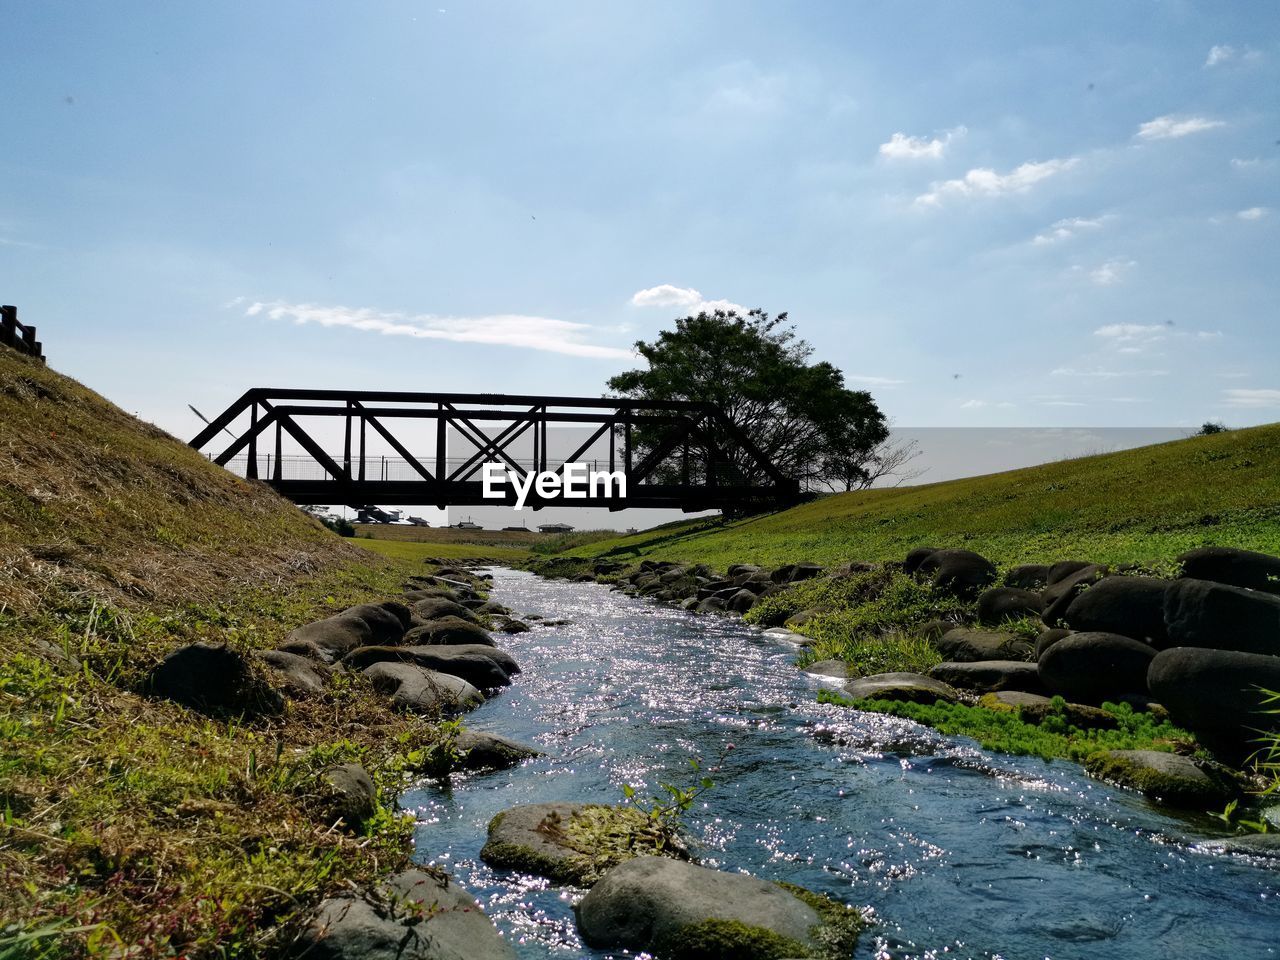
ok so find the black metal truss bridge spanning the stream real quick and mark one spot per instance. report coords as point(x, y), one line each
point(692, 456)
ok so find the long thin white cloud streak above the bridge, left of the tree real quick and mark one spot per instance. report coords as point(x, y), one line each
point(502, 330)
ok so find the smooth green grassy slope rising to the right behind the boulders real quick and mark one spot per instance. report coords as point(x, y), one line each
point(1144, 506)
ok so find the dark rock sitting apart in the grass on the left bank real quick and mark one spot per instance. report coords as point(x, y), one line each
point(214, 680)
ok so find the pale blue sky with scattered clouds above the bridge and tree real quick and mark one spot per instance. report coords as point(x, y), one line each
point(988, 214)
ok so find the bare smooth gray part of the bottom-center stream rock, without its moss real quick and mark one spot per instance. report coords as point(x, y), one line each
point(647, 904)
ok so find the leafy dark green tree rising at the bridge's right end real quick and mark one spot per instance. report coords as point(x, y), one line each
point(801, 415)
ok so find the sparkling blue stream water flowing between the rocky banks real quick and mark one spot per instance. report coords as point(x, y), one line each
point(954, 851)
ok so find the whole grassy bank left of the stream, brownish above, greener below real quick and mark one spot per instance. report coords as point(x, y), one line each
point(129, 825)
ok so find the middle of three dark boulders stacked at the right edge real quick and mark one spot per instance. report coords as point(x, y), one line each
point(1204, 614)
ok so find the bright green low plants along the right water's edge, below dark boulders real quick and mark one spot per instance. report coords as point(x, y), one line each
point(1054, 738)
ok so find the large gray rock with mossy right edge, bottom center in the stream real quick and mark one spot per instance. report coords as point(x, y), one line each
point(680, 911)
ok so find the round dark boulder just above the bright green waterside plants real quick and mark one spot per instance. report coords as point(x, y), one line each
point(1095, 668)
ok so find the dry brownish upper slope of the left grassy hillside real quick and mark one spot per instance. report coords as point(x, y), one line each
point(95, 502)
